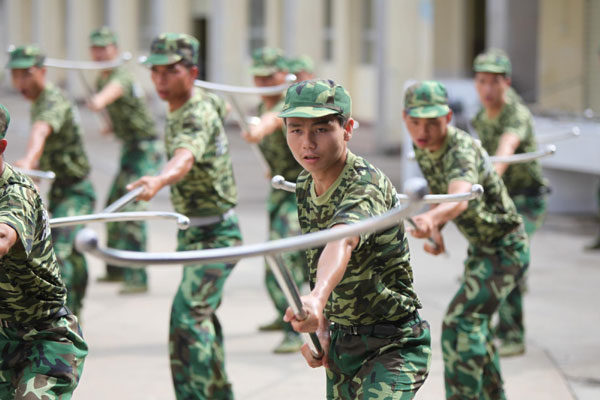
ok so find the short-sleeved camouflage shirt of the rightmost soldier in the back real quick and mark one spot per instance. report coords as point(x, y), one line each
point(516, 119)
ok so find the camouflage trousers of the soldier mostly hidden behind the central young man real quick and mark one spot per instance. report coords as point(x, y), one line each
point(283, 222)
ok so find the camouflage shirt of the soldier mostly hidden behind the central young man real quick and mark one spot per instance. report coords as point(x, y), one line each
point(276, 151)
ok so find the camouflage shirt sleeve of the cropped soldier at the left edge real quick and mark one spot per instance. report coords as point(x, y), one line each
point(18, 213)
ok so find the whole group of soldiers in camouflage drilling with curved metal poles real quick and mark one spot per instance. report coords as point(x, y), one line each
point(362, 303)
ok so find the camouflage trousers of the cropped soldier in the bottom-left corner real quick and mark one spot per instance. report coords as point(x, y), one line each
point(42, 363)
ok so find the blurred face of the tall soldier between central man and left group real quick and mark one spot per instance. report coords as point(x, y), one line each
point(173, 81)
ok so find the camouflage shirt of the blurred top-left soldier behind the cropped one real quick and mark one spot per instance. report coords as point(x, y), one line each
point(63, 151)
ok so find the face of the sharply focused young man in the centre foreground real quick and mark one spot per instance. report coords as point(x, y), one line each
point(317, 143)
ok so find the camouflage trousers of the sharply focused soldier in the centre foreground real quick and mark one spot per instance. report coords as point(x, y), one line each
point(384, 368)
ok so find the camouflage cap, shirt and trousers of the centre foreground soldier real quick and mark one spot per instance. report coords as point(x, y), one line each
point(380, 348)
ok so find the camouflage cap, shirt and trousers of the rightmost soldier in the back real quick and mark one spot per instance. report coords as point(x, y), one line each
point(524, 182)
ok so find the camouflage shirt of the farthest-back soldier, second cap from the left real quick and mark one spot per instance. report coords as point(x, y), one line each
point(129, 114)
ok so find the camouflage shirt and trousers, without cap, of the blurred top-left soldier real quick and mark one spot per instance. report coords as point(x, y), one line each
point(71, 193)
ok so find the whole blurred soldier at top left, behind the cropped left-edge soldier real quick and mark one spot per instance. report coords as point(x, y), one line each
point(55, 144)
